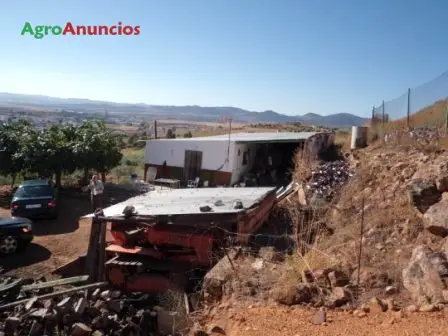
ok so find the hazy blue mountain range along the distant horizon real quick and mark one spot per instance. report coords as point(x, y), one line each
point(200, 113)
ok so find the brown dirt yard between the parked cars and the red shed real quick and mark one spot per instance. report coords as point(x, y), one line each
point(57, 242)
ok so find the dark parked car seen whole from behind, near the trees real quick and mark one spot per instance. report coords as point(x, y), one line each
point(35, 199)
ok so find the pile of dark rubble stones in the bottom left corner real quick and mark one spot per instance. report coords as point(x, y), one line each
point(93, 311)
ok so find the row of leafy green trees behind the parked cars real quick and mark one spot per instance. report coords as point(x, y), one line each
point(57, 150)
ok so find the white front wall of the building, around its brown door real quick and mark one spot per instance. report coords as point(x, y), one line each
point(214, 153)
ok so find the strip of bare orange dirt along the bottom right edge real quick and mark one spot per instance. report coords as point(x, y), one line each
point(279, 321)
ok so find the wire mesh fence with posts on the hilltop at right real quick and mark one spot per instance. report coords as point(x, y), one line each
point(422, 106)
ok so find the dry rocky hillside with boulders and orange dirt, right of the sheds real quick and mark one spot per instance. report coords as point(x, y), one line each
point(400, 195)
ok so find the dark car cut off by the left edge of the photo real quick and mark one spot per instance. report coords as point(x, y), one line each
point(15, 233)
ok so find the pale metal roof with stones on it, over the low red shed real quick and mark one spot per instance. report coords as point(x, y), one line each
point(187, 201)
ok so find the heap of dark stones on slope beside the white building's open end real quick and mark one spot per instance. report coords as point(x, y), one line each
point(327, 178)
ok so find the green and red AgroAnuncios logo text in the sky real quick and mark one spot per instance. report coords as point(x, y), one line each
point(69, 28)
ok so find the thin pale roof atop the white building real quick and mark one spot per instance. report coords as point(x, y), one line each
point(251, 137)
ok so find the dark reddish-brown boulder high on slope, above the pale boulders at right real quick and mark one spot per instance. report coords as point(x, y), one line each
point(423, 194)
